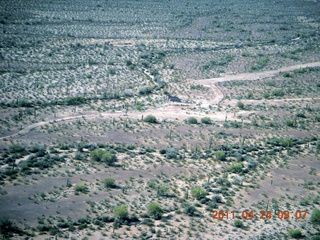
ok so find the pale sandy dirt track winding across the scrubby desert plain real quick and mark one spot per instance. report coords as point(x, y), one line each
point(176, 111)
